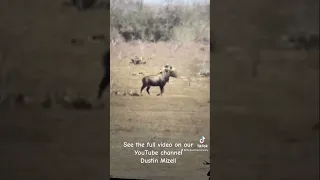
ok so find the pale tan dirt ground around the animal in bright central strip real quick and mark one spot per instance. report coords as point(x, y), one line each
point(182, 115)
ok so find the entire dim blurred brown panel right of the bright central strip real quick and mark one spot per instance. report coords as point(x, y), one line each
point(262, 127)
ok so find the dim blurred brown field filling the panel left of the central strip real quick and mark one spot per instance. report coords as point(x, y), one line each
point(56, 143)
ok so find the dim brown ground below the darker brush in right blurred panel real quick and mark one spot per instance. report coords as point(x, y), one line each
point(263, 127)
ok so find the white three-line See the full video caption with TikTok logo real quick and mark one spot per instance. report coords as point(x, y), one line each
point(164, 152)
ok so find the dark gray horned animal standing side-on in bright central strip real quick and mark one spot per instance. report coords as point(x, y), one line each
point(157, 80)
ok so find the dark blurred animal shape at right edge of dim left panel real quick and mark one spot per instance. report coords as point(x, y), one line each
point(106, 78)
